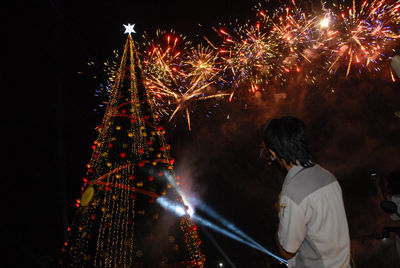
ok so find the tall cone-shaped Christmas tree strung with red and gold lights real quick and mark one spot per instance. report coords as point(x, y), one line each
point(118, 222)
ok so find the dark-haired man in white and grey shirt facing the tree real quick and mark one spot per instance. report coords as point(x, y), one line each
point(313, 230)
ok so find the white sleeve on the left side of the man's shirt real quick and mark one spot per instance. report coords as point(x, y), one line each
point(292, 226)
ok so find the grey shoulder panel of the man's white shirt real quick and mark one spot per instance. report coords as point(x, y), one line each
point(306, 182)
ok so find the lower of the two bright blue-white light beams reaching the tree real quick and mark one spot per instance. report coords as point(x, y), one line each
point(180, 210)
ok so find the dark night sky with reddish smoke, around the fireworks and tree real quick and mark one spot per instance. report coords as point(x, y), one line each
point(49, 120)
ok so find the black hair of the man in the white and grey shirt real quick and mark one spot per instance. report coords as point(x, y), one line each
point(288, 138)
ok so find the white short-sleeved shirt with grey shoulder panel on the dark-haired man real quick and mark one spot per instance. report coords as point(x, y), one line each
point(313, 220)
